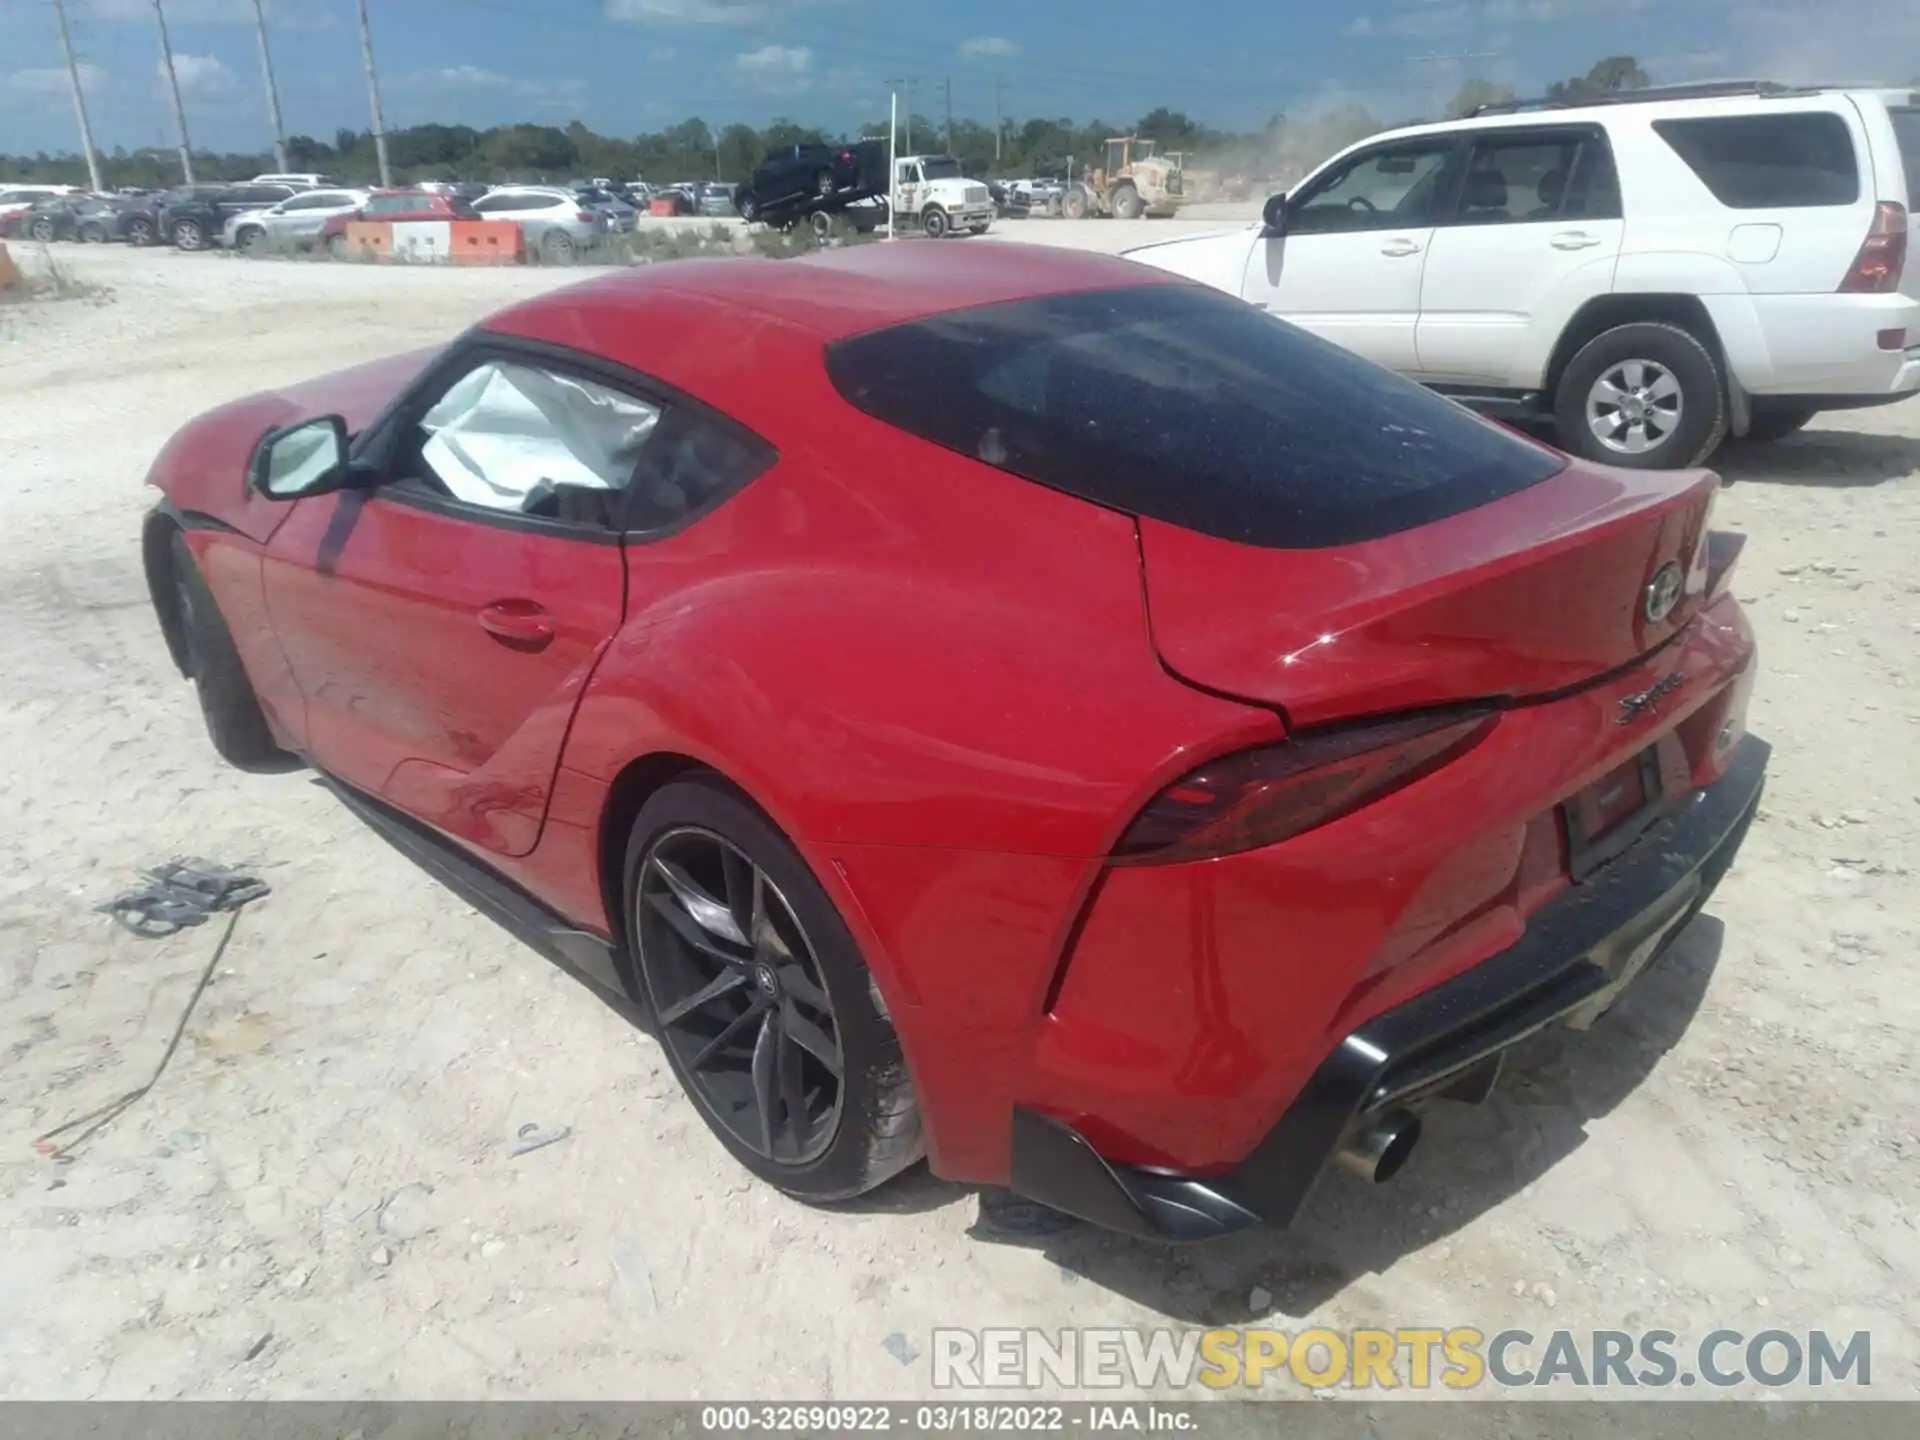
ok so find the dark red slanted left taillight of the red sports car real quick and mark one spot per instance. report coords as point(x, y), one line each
point(1259, 798)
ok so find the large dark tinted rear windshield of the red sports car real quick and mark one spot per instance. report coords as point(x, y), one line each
point(1191, 408)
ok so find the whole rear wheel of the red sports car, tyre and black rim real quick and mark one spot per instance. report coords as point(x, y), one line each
point(788, 1003)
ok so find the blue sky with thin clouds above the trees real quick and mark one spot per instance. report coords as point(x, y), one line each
point(631, 66)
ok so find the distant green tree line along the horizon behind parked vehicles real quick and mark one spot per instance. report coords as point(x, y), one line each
point(692, 151)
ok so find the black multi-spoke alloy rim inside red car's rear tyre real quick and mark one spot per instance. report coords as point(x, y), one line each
point(740, 999)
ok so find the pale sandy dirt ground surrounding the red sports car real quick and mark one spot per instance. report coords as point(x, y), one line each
point(322, 1199)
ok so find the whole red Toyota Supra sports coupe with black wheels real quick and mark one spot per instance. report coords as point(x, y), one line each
point(1005, 704)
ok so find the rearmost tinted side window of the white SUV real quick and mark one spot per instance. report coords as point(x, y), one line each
point(1769, 162)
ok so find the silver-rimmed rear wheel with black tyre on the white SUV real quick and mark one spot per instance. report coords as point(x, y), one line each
point(1644, 396)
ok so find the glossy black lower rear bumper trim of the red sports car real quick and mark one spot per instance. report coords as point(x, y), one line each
point(1577, 955)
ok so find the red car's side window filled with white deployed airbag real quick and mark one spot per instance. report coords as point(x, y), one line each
point(525, 441)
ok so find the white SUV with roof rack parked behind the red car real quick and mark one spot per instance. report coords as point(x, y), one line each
point(1654, 272)
